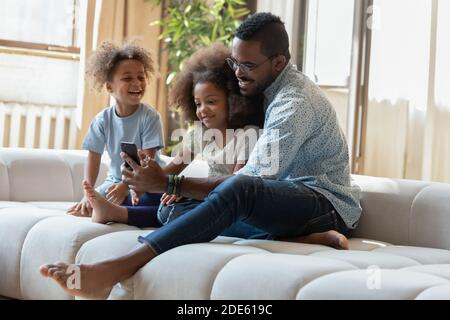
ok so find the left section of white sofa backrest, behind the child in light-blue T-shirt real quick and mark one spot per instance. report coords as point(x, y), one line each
point(43, 175)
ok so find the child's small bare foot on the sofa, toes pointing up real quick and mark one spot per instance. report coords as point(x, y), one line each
point(103, 210)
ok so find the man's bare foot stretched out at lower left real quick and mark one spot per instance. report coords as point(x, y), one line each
point(87, 281)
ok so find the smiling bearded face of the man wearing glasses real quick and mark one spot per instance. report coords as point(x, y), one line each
point(262, 69)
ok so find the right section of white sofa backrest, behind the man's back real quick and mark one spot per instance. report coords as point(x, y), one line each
point(404, 212)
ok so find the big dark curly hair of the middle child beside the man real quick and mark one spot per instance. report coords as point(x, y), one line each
point(209, 65)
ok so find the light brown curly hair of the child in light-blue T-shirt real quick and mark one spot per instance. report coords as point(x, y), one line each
point(104, 60)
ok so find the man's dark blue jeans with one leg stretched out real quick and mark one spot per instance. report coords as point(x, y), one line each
point(280, 208)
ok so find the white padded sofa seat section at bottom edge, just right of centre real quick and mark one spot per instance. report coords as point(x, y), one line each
point(271, 276)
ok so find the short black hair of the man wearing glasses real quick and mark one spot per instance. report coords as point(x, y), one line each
point(269, 30)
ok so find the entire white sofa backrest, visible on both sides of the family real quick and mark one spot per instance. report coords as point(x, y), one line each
point(398, 211)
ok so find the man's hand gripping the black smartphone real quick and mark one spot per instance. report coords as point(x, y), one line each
point(147, 177)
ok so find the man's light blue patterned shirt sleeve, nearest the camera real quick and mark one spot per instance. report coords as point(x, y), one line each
point(290, 122)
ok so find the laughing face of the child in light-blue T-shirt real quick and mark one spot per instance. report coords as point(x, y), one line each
point(128, 83)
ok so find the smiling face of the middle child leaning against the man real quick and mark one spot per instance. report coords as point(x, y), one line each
point(212, 106)
